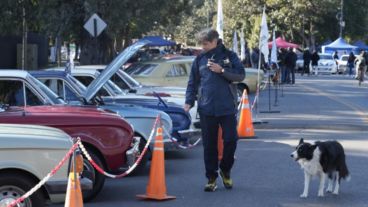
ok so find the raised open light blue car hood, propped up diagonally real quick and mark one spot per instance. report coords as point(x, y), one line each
point(112, 68)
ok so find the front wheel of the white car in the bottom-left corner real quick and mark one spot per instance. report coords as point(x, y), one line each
point(13, 186)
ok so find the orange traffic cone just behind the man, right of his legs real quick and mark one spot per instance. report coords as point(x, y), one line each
point(245, 125)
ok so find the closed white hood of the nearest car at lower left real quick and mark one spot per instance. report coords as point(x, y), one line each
point(19, 136)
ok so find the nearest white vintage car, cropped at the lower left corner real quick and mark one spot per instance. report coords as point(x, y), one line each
point(27, 154)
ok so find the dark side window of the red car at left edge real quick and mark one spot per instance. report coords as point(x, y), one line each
point(11, 92)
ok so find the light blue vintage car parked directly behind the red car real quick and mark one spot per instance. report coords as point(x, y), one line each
point(142, 119)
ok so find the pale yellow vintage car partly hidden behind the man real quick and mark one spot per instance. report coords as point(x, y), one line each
point(175, 72)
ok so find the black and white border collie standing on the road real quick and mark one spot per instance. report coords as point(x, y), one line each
point(322, 159)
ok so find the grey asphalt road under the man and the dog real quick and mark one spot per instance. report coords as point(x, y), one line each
point(316, 108)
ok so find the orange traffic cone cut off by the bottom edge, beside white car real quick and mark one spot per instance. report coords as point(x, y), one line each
point(74, 196)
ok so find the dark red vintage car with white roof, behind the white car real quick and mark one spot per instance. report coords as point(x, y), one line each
point(107, 136)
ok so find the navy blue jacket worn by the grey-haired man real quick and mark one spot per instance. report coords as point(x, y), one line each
point(215, 93)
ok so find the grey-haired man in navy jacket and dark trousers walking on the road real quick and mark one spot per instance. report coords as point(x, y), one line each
point(210, 83)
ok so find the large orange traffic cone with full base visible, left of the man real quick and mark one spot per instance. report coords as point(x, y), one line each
point(156, 188)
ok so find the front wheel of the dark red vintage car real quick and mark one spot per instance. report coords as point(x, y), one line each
point(91, 173)
